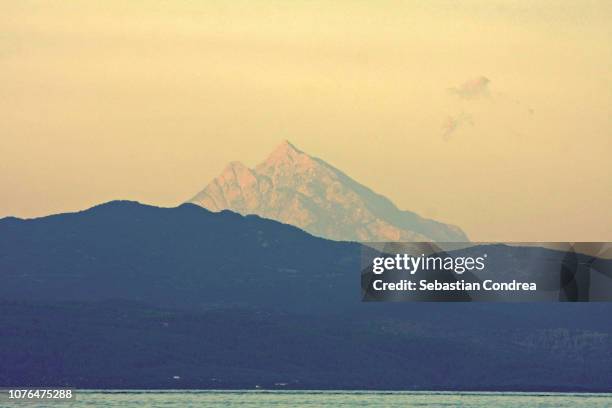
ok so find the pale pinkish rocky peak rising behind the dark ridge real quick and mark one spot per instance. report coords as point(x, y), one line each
point(295, 188)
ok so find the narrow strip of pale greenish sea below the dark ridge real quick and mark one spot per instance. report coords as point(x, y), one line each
point(313, 399)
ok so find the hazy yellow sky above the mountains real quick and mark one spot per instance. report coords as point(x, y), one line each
point(492, 115)
